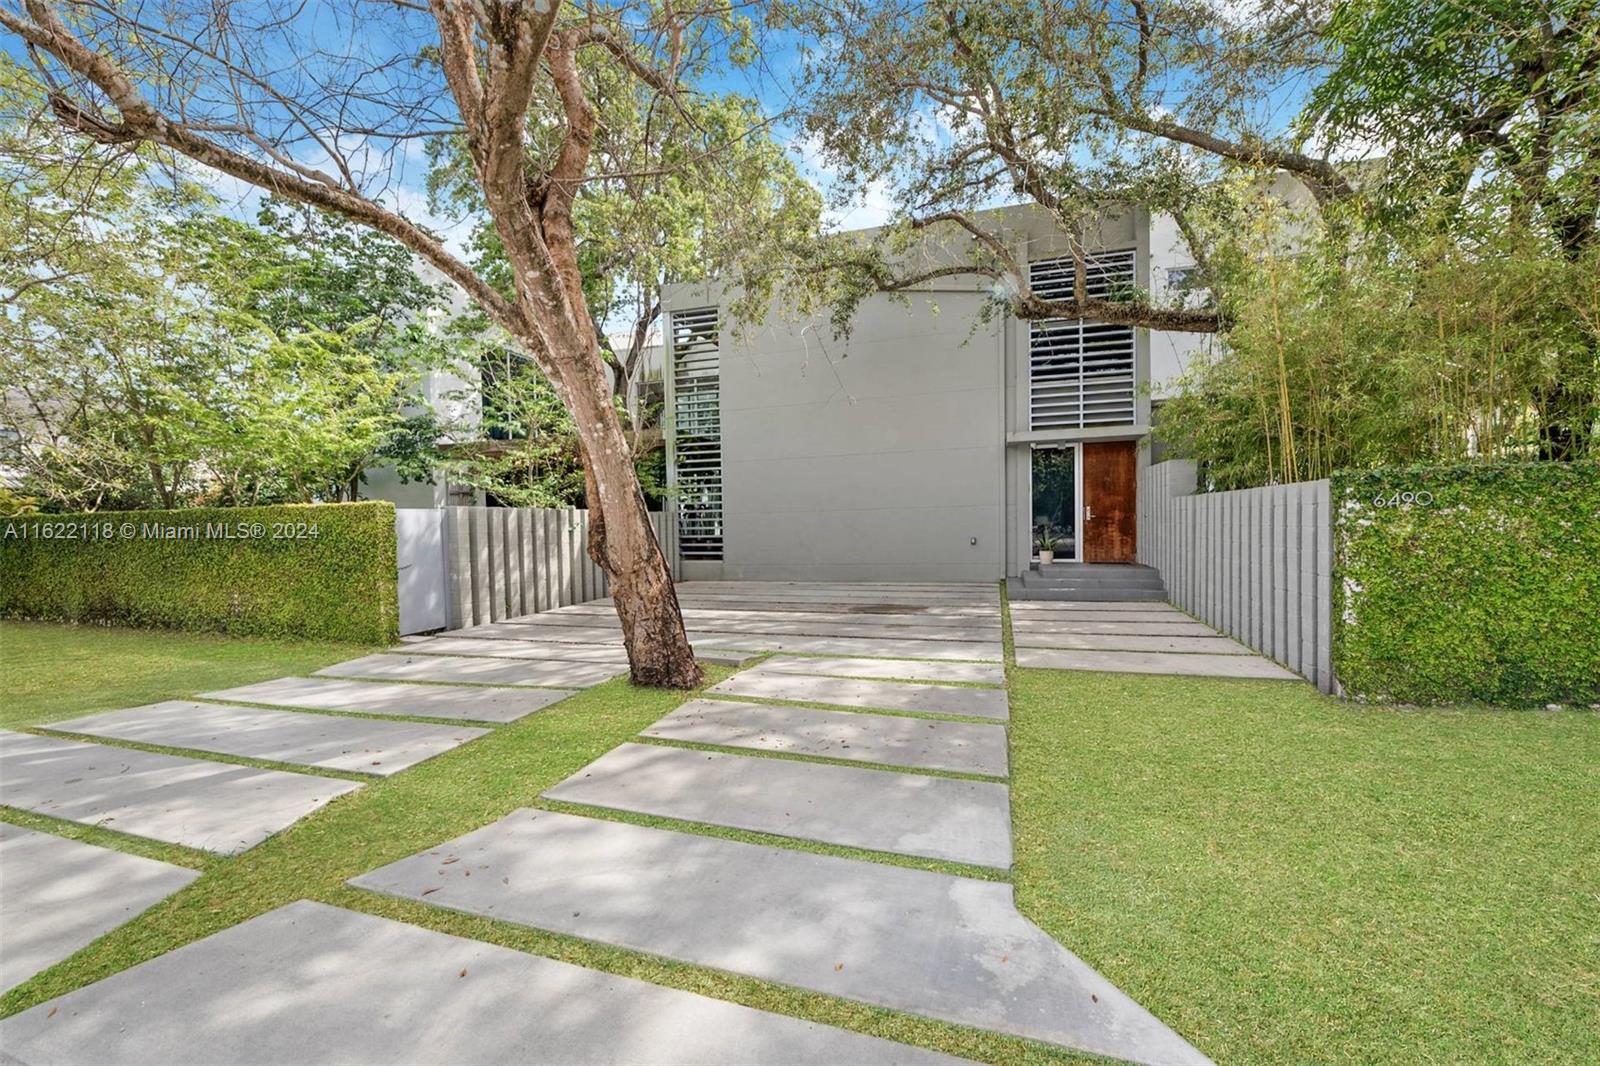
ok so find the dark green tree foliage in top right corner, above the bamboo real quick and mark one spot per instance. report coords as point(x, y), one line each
point(1482, 113)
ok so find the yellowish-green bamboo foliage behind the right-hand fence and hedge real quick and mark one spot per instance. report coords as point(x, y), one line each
point(1385, 348)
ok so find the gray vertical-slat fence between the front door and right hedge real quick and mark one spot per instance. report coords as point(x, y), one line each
point(1257, 563)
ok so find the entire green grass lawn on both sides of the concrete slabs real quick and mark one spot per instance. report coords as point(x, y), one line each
point(1282, 878)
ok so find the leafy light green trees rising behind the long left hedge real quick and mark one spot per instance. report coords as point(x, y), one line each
point(166, 355)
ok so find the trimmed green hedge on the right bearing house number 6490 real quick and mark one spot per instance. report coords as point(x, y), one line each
point(1482, 590)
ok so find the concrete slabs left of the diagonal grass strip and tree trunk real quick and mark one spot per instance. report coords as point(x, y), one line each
point(223, 775)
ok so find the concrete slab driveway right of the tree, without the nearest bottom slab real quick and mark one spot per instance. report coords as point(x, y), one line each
point(897, 766)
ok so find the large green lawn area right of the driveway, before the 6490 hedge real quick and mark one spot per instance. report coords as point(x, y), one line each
point(1287, 878)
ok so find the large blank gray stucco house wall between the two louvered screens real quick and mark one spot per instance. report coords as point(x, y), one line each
point(873, 459)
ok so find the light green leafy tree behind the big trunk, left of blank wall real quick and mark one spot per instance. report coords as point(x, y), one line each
point(682, 190)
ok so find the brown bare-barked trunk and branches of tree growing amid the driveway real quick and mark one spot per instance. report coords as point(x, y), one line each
point(492, 58)
